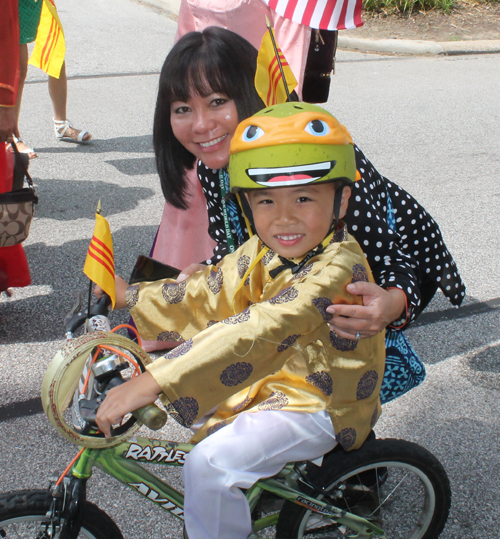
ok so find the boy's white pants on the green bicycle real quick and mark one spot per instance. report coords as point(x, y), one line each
point(254, 446)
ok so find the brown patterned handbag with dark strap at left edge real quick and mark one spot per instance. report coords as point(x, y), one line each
point(17, 207)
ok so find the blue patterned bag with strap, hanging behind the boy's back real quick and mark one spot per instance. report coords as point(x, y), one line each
point(404, 370)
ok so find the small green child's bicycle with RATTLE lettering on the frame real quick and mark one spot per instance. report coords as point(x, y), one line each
point(386, 489)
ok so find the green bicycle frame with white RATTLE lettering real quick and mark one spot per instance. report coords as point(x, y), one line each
point(123, 463)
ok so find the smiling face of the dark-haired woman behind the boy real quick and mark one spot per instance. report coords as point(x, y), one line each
point(205, 126)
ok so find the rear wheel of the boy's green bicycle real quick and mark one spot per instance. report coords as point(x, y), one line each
point(360, 482)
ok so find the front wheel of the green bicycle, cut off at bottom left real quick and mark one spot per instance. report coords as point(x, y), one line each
point(22, 513)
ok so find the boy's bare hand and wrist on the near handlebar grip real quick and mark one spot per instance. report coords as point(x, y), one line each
point(121, 400)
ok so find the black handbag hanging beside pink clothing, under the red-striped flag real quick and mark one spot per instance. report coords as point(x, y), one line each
point(320, 65)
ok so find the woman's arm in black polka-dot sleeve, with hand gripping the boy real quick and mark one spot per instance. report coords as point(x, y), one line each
point(397, 298)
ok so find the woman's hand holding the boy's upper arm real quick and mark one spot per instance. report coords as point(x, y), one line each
point(380, 308)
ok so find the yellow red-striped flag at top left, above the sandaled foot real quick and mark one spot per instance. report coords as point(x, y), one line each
point(50, 46)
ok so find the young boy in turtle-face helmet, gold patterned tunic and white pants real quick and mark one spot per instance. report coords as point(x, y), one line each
point(253, 332)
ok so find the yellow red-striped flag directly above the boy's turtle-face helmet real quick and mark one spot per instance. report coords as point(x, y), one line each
point(268, 78)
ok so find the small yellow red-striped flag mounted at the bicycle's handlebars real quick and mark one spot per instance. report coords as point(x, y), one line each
point(99, 265)
